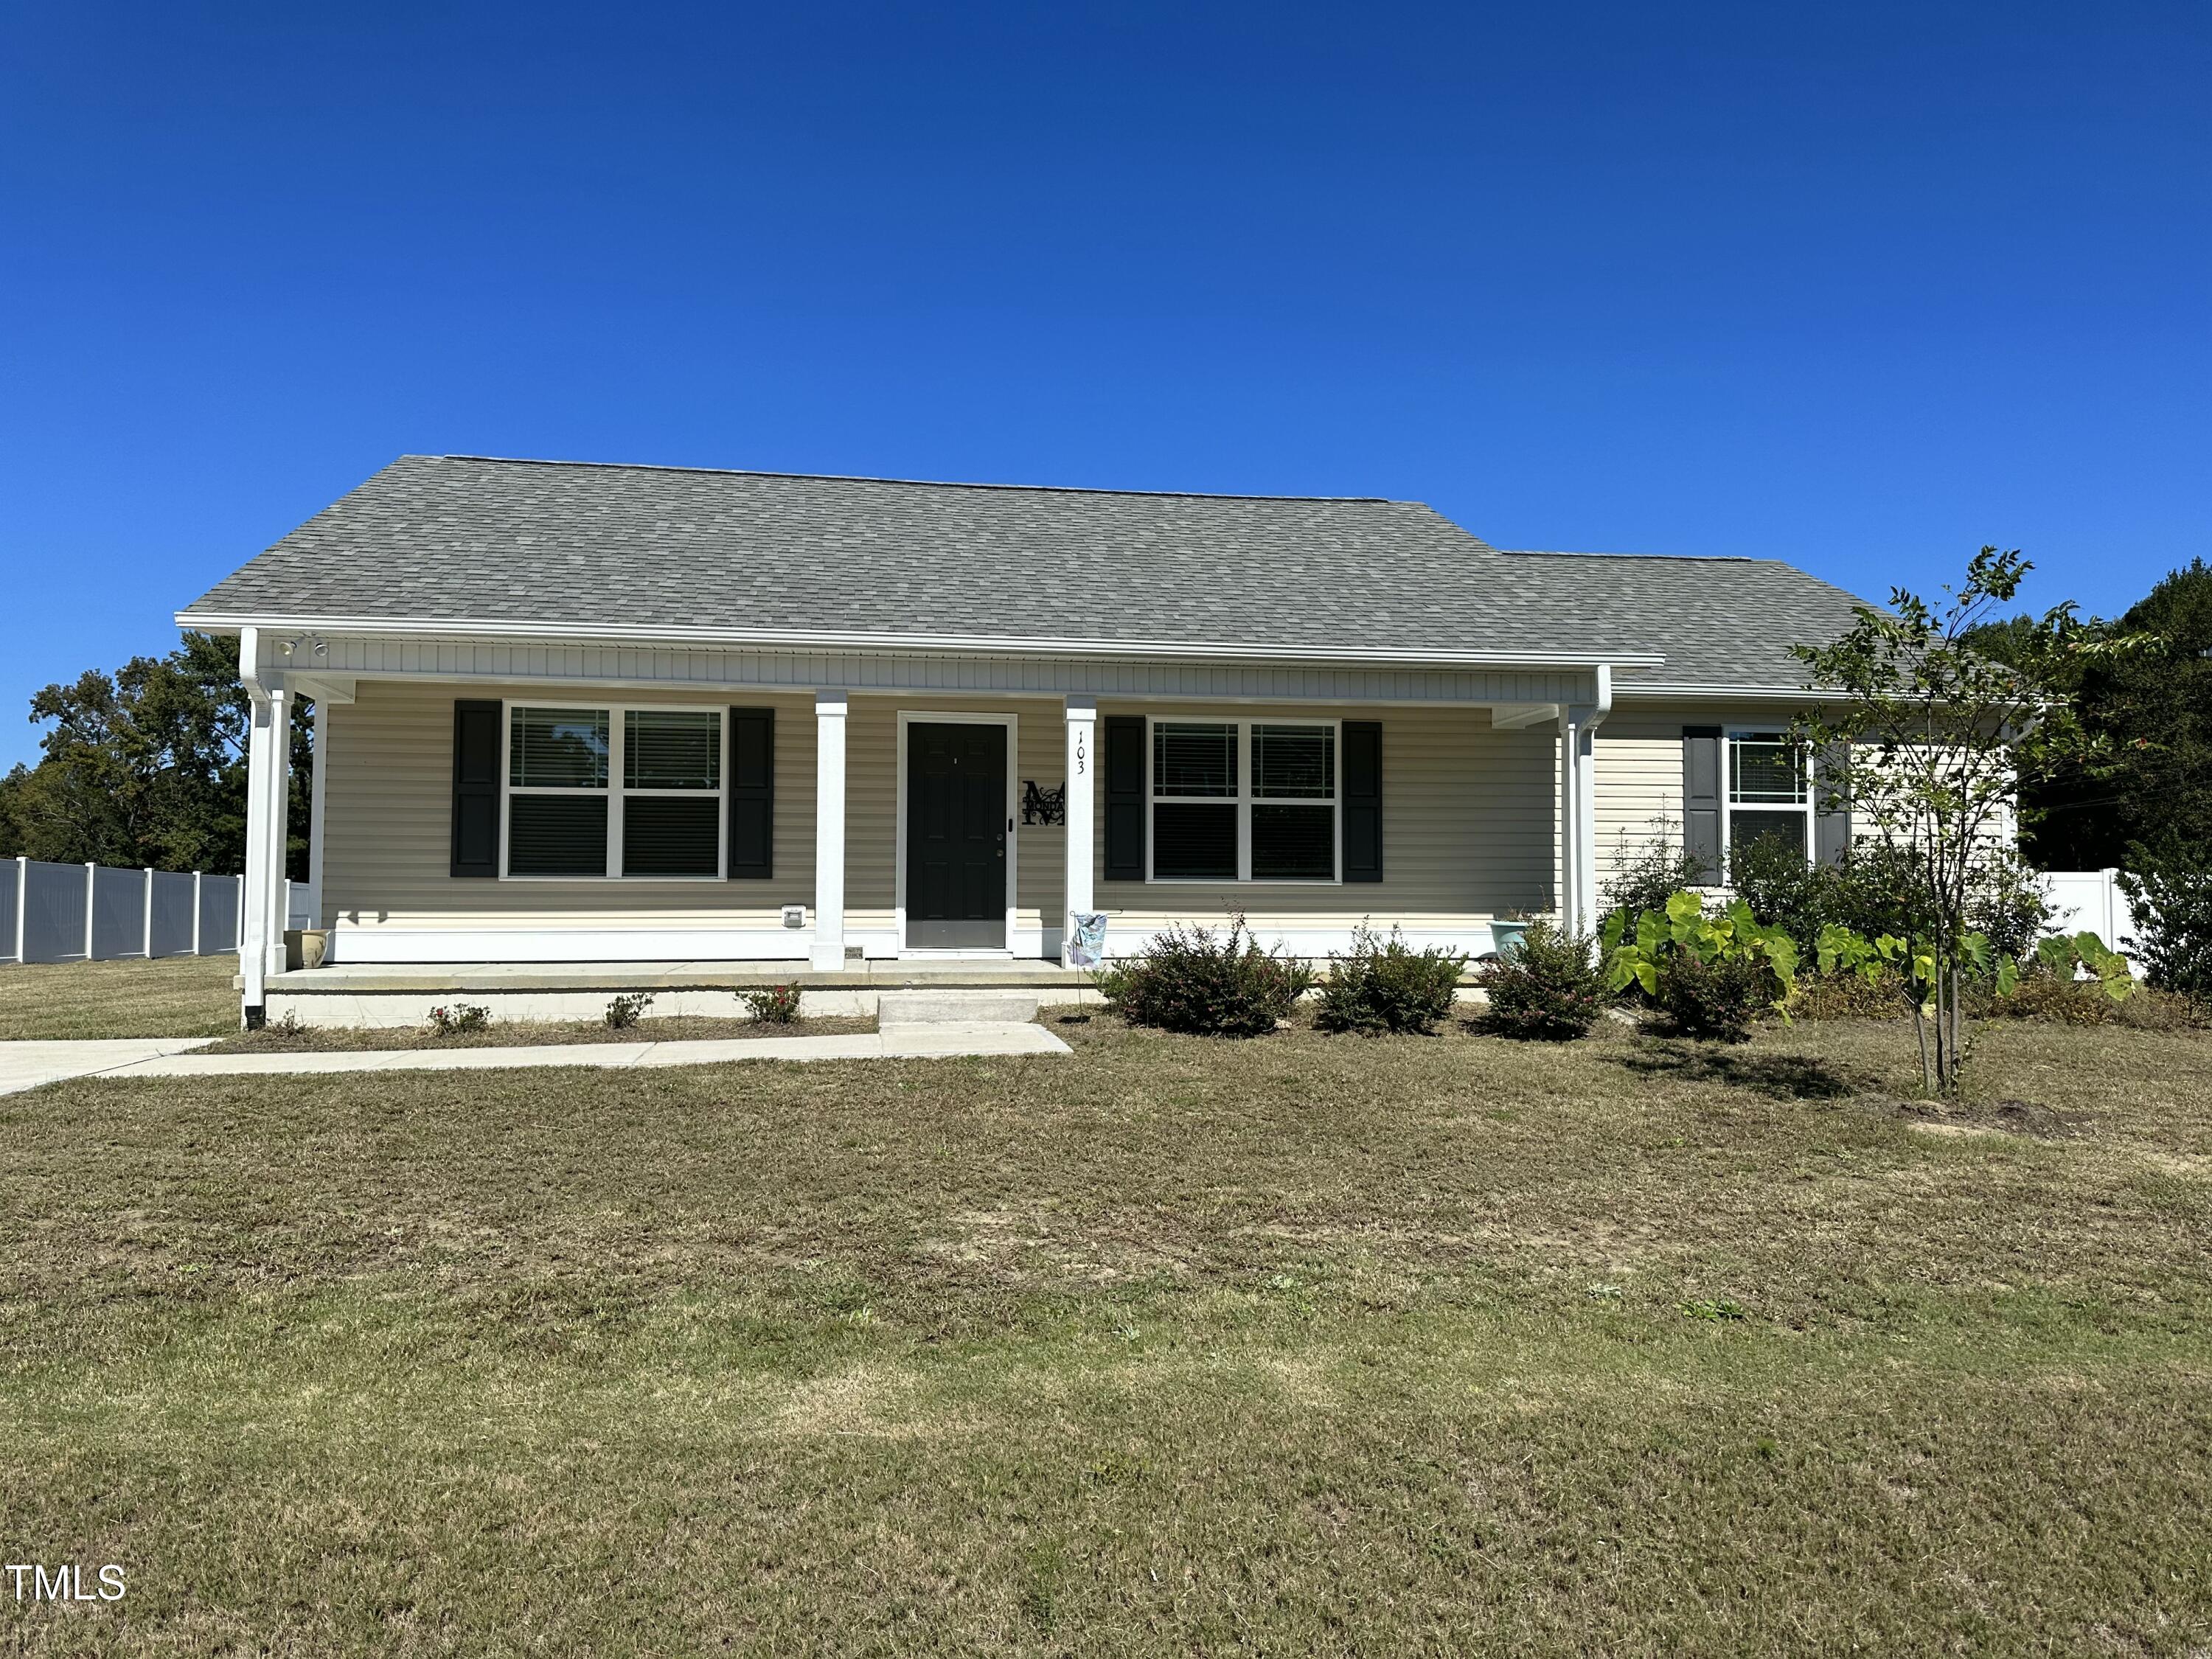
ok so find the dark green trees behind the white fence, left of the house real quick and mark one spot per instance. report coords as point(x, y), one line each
point(147, 766)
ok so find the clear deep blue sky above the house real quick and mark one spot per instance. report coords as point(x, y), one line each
point(1853, 286)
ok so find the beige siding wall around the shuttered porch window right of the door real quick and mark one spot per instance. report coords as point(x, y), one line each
point(1468, 831)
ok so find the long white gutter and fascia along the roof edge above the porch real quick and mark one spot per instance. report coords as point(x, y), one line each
point(839, 640)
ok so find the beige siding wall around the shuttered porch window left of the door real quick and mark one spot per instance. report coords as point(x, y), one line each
point(390, 808)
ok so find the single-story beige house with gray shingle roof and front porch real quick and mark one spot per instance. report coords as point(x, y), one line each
point(589, 713)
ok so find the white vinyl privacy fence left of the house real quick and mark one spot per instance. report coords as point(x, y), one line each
point(96, 915)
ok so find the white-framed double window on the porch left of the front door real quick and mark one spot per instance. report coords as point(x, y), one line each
point(614, 793)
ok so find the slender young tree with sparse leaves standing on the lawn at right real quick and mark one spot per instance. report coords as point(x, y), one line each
point(1930, 738)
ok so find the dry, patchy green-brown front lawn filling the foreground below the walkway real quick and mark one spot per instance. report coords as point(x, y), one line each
point(1297, 1346)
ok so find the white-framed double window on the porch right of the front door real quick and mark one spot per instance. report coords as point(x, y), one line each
point(1244, 802)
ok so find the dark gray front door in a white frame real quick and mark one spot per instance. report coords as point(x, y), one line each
point(957, 837)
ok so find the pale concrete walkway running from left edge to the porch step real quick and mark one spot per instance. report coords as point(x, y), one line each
point(28, 1065)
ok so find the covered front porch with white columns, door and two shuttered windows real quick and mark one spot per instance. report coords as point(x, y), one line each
point(828, 802)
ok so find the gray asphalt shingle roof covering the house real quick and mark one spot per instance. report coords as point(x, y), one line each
point(634, 550)
